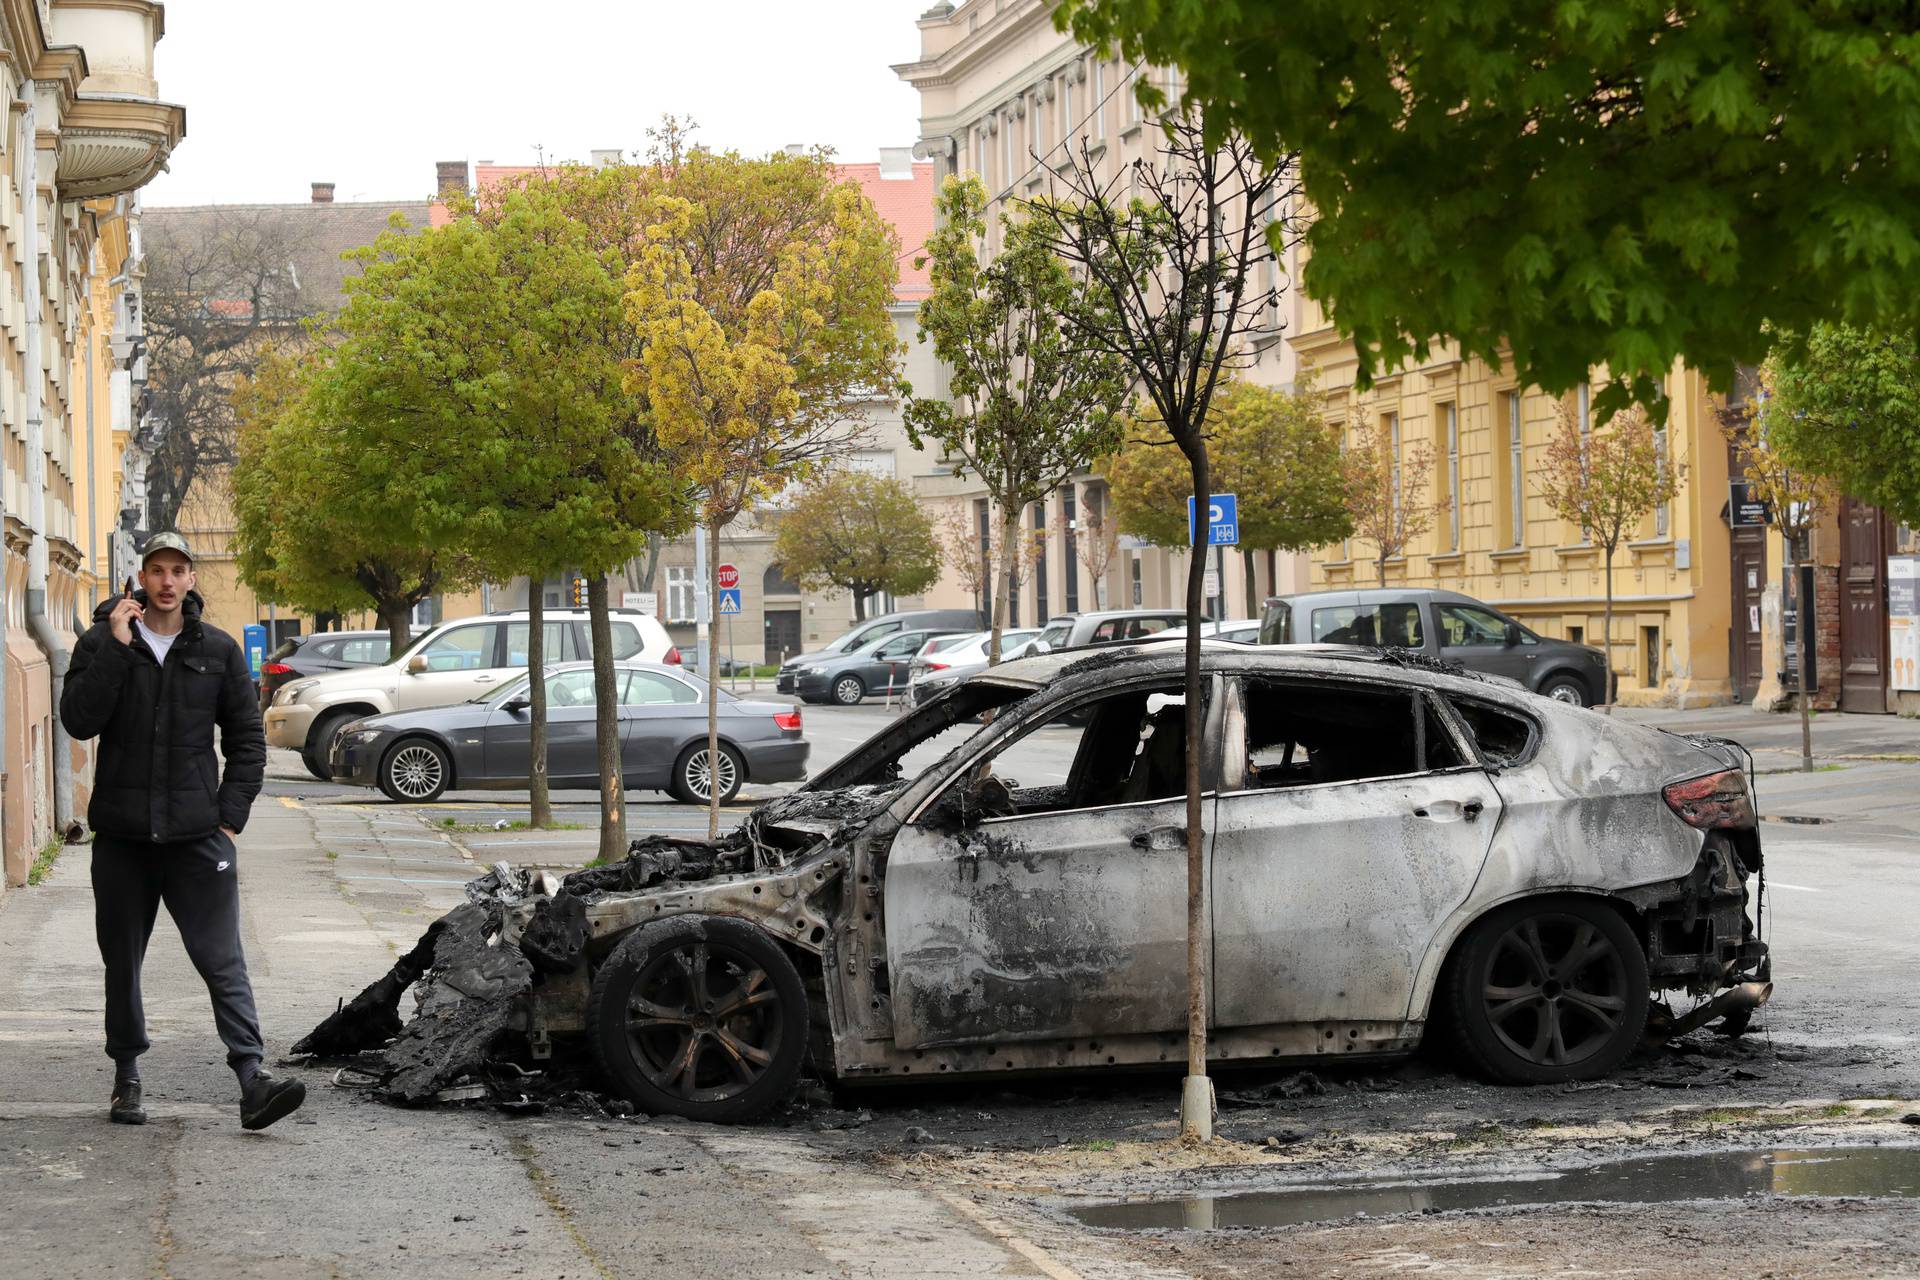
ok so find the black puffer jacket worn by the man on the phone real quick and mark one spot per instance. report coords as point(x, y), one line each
point(156, 776)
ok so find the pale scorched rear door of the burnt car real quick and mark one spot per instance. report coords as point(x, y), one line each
point(1370, 909)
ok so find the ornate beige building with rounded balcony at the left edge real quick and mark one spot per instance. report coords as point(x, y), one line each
point(85, 130)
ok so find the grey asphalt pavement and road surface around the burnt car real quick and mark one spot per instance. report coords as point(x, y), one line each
point(337, 882)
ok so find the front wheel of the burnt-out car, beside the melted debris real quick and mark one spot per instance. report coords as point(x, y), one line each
point(702, 1018)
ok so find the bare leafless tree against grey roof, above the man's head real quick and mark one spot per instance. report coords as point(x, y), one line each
point(222, 287)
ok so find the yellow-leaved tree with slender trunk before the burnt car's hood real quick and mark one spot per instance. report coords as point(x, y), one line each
point(759, 298)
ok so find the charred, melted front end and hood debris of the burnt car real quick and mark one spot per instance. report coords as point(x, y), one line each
point(471, 980)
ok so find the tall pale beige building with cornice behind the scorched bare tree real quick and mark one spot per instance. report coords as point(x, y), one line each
point(1003, 95)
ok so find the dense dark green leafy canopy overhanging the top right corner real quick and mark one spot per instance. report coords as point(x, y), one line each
point(1616, 183)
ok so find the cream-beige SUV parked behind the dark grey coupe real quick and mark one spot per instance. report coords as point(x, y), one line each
point(456, 661)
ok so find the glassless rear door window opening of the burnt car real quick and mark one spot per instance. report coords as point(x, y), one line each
point(1305, 736)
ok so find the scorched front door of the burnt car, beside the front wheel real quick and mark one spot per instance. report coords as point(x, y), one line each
point(1057, 997)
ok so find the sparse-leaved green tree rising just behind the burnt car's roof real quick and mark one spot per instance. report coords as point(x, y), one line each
point(1028, 406)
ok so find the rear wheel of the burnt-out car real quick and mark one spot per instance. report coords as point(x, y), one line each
point(1550, 991)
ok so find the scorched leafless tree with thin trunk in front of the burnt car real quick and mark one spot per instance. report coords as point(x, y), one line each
point(1180, 252)
